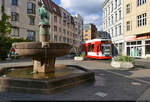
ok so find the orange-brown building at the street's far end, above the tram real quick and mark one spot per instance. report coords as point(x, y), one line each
point(89, 32)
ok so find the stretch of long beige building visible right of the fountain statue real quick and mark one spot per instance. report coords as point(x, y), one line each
point(64, 27)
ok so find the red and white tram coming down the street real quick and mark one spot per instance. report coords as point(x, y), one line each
point(98, 48)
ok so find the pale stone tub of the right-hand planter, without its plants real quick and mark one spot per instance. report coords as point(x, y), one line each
point(125, 65)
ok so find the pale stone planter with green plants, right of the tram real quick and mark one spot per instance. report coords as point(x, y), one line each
point(123, 62)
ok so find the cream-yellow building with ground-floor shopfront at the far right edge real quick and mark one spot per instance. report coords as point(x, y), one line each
point(136, 27)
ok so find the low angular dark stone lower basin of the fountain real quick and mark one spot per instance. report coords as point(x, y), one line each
point(43, 84)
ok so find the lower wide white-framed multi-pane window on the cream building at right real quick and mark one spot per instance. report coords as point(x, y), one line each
point(141, 20)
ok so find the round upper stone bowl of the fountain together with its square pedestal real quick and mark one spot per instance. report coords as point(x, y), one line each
point(43, 54)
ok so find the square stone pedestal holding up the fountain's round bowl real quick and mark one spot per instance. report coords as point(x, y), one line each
point(44, 65)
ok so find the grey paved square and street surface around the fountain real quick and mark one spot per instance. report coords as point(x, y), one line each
point(110, 84)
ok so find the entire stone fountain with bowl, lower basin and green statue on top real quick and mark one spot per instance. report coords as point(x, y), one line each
point(43, 76)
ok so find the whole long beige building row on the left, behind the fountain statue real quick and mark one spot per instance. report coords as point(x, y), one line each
point(64, 27)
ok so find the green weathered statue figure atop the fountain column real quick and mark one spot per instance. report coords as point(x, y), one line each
point(44, 16)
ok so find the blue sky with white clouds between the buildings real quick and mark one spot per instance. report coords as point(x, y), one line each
point(90, 10)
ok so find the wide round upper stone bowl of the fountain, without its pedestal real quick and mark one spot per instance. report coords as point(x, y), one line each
point(31, 49)
